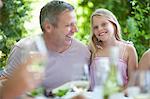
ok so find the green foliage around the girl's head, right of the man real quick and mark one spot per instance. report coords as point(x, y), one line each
point(133, 16)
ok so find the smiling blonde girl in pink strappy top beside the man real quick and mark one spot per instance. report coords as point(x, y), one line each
point(105, 33)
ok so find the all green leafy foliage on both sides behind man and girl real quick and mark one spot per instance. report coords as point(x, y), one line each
point(133, 16)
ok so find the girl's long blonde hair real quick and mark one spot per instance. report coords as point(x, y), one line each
point(112, 18)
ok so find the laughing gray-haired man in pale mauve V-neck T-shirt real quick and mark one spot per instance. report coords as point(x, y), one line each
point(66, 55)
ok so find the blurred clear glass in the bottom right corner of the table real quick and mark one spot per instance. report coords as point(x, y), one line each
point(140, 82)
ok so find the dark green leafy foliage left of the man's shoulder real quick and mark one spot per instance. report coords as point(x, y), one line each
point(12, 17)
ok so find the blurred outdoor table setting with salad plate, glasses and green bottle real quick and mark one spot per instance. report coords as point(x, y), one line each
point(139, 86)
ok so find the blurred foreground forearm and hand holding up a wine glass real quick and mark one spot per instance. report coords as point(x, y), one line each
point(20, 81)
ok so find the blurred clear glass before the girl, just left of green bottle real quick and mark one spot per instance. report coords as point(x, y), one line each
point(100, 68)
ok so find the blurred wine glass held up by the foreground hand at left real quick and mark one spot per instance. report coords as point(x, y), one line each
point(37, 52)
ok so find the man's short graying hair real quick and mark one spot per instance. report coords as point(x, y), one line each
point(52, 10)
